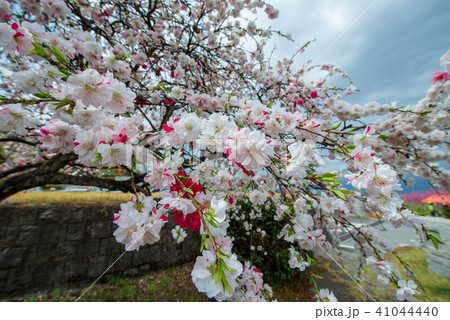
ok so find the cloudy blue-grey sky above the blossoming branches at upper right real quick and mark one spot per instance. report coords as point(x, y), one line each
point(391, 53)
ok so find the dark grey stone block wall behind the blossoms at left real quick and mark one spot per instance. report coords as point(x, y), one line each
point(63, 246)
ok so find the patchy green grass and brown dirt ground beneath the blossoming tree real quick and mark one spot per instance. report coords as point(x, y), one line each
point(175, 284)
